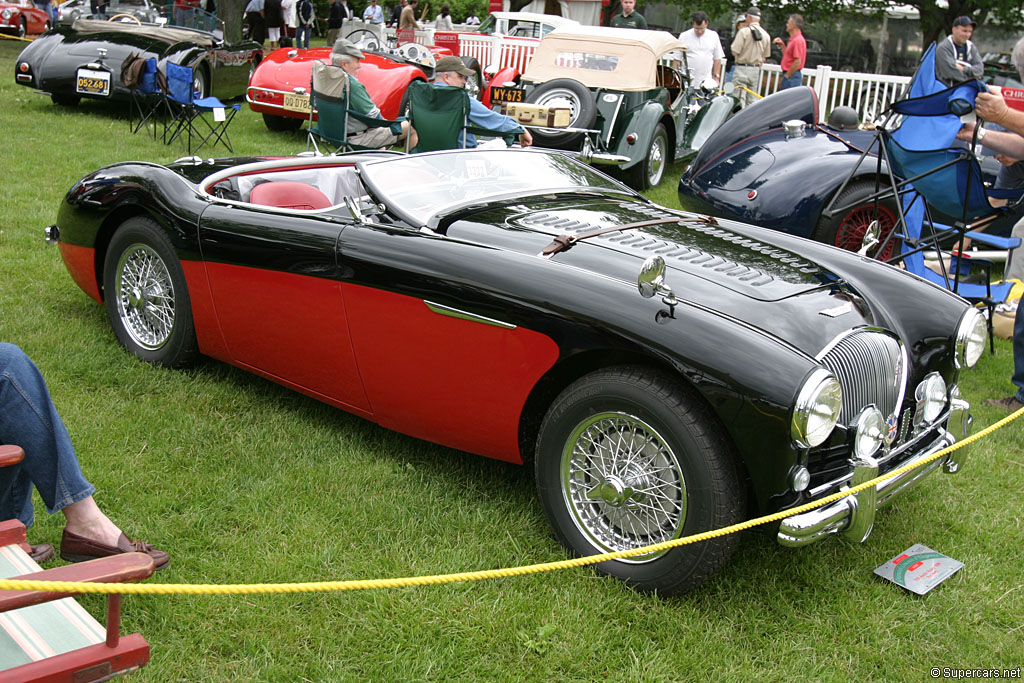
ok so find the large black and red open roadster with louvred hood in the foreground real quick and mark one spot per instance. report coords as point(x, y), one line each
point(667, 373)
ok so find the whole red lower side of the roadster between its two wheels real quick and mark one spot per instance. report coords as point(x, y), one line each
point(357, 352)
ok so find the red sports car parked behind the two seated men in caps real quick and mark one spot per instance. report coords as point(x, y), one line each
point(279, 89)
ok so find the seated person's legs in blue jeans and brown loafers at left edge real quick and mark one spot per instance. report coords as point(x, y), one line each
point(29, 419)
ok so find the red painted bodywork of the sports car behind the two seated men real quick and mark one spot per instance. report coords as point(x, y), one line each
point(385, 79)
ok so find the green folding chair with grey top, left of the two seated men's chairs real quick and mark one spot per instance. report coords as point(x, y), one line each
point(329, 100)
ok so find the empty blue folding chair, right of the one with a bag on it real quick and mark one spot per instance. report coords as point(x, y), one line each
point(204, 119)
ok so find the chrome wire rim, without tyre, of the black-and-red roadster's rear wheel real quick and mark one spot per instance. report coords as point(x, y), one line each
point(145, 296)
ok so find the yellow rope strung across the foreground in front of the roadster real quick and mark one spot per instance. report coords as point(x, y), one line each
point(368, 584)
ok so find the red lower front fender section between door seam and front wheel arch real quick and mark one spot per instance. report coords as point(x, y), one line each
point(447, 380)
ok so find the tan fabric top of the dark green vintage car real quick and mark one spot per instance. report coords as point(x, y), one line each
point(603, 57)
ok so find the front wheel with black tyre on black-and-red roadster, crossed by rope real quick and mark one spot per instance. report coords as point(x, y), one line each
point(628, 458)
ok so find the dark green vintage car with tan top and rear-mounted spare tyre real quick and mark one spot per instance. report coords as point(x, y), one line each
point(632, 104)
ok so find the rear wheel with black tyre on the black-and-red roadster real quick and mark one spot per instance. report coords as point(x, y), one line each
point(147, 297)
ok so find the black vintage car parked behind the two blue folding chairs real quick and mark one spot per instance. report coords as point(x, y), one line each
point(84, 60)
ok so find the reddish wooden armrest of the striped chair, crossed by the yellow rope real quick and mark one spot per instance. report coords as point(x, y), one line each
point(117, 569)
